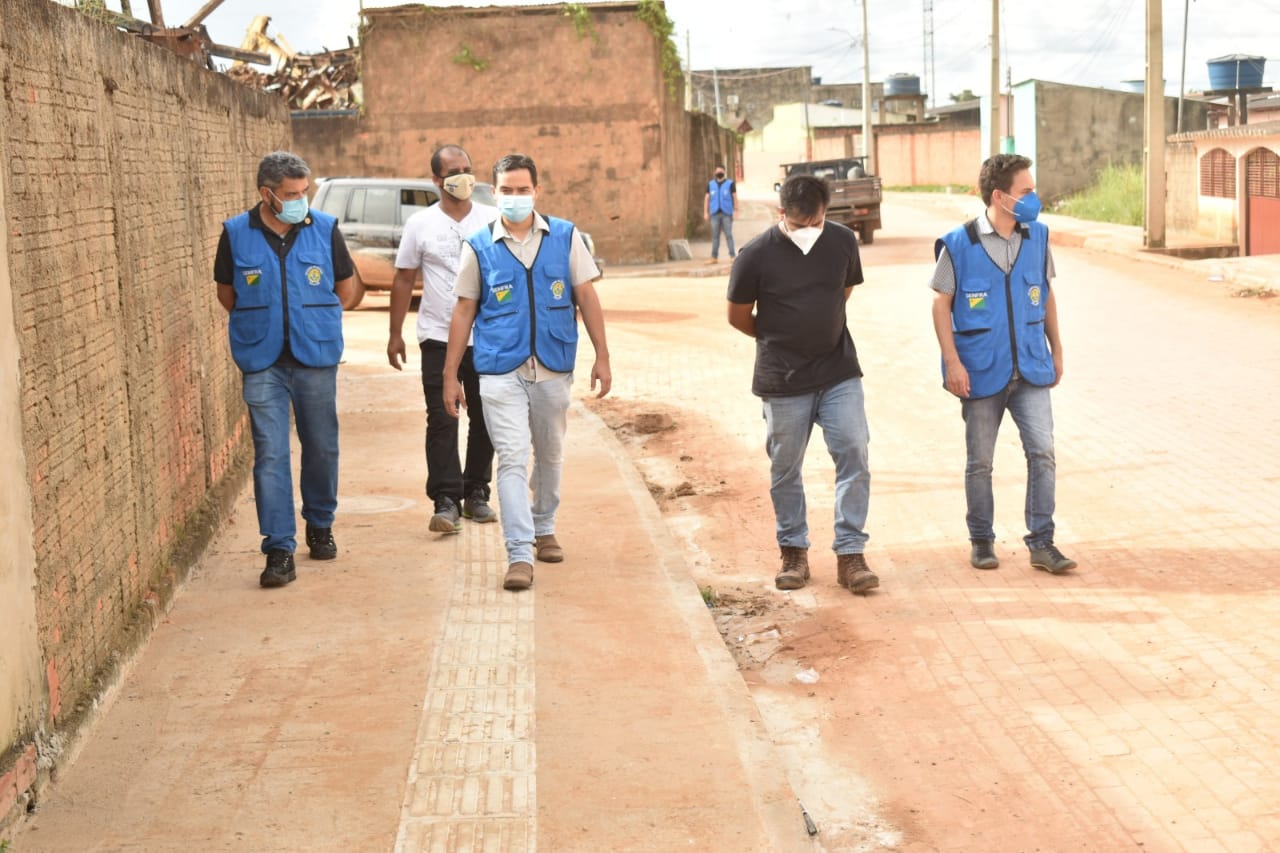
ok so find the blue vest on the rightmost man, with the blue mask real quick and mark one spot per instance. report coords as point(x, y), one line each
point(999, 318)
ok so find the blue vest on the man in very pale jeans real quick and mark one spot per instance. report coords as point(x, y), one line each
point(525, 312)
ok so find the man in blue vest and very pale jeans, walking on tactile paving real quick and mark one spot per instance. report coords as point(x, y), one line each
point(522, 282)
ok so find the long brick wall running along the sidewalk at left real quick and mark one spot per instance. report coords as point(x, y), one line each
point(122, 163)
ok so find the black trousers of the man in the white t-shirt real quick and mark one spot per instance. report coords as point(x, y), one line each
point(446, 478)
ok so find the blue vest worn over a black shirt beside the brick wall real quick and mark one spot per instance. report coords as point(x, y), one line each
point(295, 293)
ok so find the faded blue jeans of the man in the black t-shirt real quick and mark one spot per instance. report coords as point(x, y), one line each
point(789, 423)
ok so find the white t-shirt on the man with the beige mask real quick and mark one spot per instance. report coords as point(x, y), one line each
point(433, 243)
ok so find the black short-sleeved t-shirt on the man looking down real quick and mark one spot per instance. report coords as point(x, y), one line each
point(802, 337)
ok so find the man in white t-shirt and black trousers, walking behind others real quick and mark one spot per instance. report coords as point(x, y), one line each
point(433, 243)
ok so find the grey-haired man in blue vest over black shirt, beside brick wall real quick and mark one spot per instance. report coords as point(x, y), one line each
point(284, 273)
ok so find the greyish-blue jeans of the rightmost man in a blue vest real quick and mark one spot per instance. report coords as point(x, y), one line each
point(1030, 407)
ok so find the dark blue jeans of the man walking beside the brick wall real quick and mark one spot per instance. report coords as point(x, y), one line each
point(314, 396)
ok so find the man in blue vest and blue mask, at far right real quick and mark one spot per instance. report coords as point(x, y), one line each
point(996, 321)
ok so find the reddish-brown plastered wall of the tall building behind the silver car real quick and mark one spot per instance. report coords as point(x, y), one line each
point(589, 107)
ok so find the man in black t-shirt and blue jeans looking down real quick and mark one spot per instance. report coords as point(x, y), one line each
point(789, 293)
